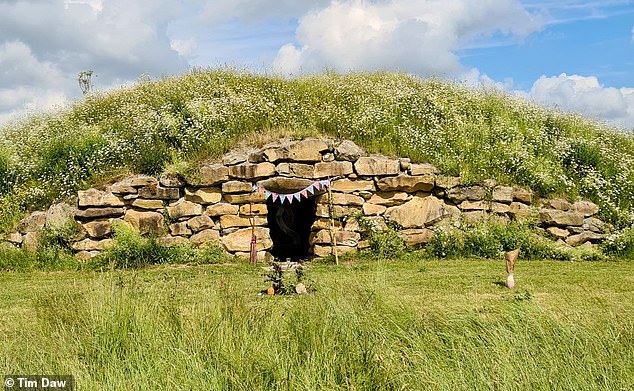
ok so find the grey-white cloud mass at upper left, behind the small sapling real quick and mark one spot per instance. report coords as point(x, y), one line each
point(44, 45)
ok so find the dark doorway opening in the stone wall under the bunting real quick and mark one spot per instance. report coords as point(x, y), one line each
point(289, 226)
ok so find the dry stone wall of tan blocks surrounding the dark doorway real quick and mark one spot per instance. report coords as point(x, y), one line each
point(217, 203)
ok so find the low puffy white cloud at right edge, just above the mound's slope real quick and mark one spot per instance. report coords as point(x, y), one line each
point(584, 94)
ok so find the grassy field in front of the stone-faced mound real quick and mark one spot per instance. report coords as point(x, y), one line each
point(379, 325)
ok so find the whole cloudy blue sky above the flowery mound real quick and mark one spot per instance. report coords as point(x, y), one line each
point(575, 55)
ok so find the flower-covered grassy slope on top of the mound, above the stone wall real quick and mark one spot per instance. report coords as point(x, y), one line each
point(476, 133)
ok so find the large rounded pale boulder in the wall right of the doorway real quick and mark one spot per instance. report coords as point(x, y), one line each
point(417, 213)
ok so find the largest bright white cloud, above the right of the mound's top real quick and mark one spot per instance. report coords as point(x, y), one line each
point(419, 36)
